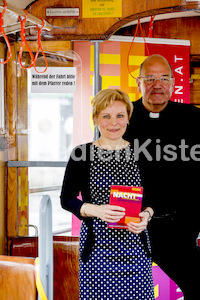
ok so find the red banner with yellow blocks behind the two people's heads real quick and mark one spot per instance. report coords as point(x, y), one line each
point(120, 60)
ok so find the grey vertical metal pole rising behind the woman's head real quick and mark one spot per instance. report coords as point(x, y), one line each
point(97, 84)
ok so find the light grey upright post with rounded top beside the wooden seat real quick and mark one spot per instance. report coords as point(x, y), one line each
point(46, 246)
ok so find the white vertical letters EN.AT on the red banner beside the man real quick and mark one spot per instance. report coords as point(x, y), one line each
point(178, 89)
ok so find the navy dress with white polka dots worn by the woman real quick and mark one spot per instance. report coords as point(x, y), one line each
point(118, 267)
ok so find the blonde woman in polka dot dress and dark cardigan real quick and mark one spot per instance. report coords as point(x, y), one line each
point(113, 263)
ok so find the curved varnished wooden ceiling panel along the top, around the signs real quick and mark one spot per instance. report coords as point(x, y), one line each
point(101, 28)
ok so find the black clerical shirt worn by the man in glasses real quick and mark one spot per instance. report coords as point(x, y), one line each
point(167, 146)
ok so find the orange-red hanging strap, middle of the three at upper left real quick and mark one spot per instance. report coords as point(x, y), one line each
point(24, 43)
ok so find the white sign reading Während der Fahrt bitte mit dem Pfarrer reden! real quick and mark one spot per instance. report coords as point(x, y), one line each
point(55, 80)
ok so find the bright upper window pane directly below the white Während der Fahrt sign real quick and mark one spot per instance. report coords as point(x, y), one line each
point(50, 126)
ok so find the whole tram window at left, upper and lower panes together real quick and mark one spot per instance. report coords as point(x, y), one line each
point(50, 139)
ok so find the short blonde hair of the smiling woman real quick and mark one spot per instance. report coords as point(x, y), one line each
point(106, 97)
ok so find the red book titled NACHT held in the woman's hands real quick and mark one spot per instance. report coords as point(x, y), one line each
point(129, 197)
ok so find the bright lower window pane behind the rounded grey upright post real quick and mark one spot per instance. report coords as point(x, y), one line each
point(50, 181)
